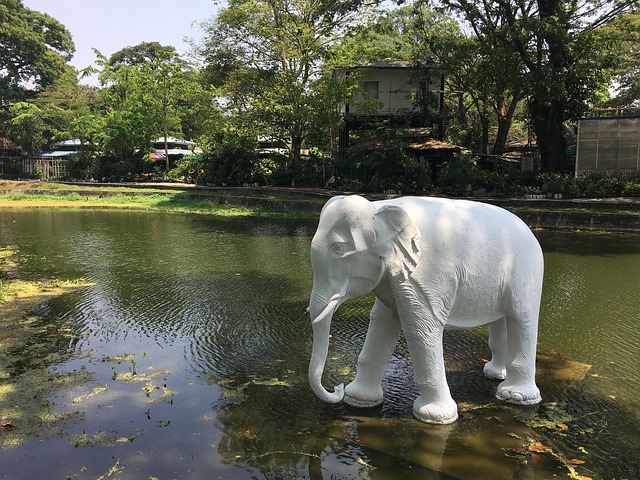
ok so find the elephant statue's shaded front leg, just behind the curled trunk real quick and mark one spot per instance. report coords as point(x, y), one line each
point(384, 329)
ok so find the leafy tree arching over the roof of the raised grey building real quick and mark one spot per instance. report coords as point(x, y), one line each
point(477, 98)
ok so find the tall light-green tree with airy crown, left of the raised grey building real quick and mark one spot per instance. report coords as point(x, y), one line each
point(270, 54)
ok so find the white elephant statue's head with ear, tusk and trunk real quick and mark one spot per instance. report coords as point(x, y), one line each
point(355, 246)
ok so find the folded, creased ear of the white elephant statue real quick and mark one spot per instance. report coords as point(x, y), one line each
point(397, 240)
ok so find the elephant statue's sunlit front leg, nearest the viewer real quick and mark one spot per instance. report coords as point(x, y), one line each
point(435, 404)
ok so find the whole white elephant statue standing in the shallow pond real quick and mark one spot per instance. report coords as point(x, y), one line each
point(430, 262)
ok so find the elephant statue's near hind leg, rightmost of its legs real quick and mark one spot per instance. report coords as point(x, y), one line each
point(519, 386)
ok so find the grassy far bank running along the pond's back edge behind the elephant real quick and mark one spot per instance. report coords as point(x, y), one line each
point(603, 214)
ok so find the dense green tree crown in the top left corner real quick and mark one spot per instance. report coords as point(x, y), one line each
point(34, 48)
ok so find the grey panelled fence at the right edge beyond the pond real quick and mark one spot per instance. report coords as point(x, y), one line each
point(608, 144)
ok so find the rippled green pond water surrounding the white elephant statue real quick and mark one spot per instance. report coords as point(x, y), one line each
point(194, 342)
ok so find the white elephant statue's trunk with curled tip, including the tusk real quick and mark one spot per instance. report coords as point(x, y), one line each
point(321, 329)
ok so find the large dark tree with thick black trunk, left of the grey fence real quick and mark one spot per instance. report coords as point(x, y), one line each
point(558, 48)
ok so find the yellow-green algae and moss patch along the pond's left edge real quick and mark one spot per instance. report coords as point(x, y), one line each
point(27, 362)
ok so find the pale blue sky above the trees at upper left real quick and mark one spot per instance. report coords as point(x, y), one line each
point(112, 25)
